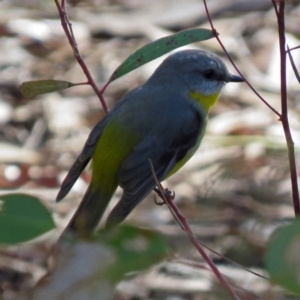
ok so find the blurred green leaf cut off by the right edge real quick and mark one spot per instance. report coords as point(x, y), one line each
point(282, 257)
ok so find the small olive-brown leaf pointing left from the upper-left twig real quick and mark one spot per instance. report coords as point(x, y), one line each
point(38, 87)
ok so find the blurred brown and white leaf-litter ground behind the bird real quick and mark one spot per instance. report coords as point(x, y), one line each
point(234, 192)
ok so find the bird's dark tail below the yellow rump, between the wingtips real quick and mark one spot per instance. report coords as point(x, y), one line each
point(89, 213)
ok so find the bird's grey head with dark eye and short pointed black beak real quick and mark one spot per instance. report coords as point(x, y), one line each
point(198, 70)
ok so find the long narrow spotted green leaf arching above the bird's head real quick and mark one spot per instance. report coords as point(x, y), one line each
point(160, 47)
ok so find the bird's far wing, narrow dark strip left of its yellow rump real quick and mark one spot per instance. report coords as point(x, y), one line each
point(81, 161)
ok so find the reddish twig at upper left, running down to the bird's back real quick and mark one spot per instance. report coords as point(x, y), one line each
point(67, 26)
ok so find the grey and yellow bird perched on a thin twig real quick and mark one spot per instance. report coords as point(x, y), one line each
point(161, 121)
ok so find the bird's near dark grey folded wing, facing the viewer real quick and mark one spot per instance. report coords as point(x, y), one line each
point(136, 177)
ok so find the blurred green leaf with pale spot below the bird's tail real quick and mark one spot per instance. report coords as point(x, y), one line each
point(134, 249)
